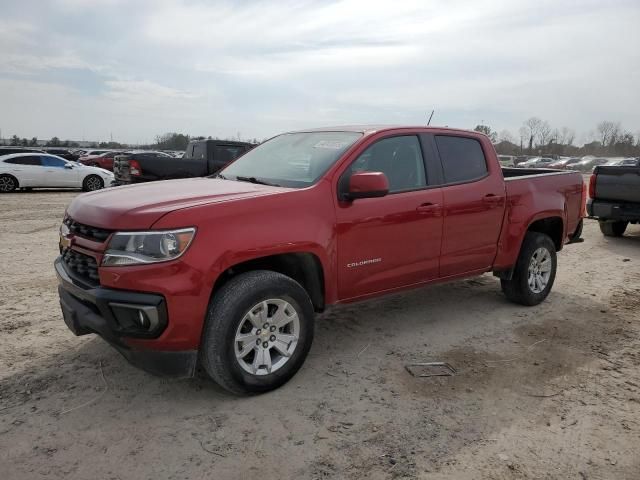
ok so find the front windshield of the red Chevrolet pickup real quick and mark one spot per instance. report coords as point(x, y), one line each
point(291, 160)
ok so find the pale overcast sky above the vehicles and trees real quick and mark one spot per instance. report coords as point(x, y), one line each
point(88, 68)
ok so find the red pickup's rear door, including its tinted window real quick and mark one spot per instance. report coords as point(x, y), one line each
point(474, 202)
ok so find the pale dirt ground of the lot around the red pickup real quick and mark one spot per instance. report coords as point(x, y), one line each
point(547, 392)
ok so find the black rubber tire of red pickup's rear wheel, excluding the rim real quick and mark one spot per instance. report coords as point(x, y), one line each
point(518, 289)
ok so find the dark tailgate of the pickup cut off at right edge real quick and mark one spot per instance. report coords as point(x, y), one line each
point(618, 184)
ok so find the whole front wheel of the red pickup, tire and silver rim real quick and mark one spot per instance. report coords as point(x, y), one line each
point(258, 331)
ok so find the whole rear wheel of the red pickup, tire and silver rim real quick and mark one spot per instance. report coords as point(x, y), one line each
point(535, 271)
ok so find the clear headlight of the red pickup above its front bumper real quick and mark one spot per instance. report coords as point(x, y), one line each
point(134, 248)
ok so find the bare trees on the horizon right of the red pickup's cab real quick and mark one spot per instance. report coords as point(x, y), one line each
point(538, 137)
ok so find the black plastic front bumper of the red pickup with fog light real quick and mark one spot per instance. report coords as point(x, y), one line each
point(116, 316)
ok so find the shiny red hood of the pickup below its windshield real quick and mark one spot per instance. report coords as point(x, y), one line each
point(134, 207)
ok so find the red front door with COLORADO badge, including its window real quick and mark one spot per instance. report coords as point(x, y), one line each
point(392, 241)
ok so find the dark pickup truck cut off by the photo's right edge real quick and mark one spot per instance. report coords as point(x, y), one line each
point(615, 198)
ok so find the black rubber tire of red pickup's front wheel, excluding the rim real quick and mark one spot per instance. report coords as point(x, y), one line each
point(227, 310)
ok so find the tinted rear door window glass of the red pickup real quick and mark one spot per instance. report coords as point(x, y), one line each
point(462, 158)
